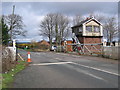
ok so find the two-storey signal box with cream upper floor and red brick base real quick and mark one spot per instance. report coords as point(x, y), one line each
point(89, 32)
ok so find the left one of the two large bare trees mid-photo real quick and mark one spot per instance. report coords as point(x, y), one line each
point(46, 27)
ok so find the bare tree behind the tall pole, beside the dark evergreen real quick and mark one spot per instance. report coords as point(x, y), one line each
point(15, 25)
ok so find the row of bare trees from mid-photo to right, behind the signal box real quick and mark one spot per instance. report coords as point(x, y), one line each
point(57, 26)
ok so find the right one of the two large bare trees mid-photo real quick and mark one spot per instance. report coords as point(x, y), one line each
point(61, 27)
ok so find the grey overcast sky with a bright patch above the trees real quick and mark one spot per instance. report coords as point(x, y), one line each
point(33, 12)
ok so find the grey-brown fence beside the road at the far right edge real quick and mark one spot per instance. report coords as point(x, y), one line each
point(111, 52)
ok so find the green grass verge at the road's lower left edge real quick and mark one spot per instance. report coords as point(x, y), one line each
point(8, 78)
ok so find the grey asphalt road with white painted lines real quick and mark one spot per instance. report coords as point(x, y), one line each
point(59, 70)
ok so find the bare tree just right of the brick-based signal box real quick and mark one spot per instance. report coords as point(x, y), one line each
point(110, 28)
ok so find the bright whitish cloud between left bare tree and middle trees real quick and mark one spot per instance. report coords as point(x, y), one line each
point(32, 22)
